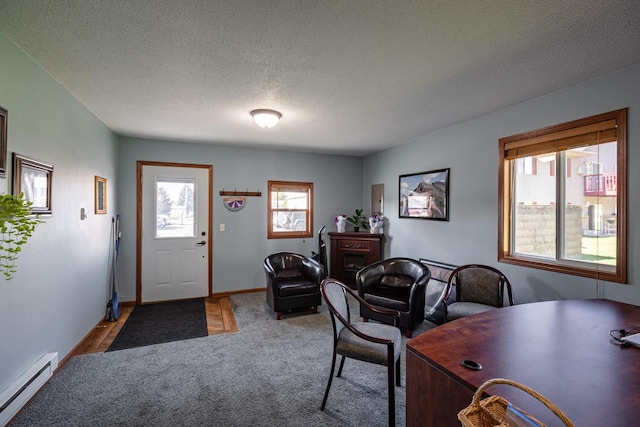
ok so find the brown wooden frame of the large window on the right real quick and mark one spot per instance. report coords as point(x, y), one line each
point(524, 144)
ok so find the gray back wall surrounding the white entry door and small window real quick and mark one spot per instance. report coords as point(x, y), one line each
point(239, 251)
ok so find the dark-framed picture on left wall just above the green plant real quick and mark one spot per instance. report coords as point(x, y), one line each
point(34, 179)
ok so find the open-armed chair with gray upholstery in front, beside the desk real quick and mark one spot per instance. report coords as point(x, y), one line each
point(370, 342)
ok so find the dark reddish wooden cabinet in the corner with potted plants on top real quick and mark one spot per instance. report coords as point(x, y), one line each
point(352, 251)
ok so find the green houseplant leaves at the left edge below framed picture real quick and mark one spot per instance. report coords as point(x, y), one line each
point(17, 224)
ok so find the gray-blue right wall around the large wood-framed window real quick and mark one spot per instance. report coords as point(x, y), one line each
point(470, 149)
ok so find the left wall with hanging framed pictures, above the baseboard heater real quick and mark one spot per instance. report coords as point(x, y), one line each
point(60, 290)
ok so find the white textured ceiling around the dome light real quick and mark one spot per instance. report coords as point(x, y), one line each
point(350, 77)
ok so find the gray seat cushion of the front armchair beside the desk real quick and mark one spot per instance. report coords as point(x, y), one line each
point(351, 345)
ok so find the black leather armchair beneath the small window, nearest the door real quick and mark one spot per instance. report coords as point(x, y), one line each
point(293, 282)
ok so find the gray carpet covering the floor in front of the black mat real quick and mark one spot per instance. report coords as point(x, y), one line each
point(269, 373)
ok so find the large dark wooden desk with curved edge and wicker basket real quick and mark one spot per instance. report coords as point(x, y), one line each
point(561, 349)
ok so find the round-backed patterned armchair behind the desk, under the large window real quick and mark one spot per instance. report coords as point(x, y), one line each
point(478, 288)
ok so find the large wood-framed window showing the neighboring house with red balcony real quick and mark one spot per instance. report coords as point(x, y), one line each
point(573, 219)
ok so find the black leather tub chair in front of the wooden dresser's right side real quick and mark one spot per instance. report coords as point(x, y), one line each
point(398, 284)
